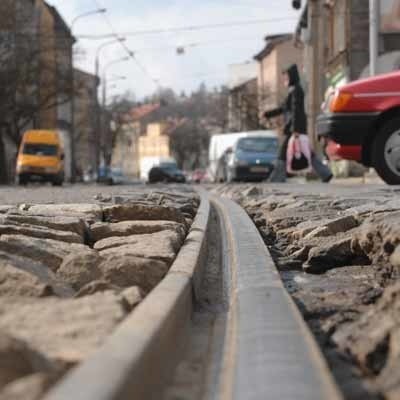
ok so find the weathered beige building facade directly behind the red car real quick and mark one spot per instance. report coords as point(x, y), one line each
point(334, 38)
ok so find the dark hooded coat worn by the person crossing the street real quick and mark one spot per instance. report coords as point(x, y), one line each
point(293, 108)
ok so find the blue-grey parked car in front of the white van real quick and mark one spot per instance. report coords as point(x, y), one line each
point(252, 158)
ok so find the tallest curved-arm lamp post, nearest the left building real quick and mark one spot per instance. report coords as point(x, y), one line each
point(72, 78)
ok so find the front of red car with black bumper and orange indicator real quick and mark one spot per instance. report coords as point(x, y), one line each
point(362, 123)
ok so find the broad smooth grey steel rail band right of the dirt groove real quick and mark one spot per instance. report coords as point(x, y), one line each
point(269, 351)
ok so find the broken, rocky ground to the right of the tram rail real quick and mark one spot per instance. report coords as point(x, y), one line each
point(344, 278)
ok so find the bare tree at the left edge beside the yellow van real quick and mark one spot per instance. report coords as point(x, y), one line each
point(31, 82)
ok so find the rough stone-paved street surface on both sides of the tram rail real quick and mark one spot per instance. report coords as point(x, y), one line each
point(77, 260)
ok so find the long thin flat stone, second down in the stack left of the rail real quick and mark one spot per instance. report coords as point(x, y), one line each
point(101, 231)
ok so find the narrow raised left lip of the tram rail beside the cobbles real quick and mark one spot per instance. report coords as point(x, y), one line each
point(138, 358)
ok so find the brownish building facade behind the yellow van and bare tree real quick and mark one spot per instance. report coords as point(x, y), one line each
point(34, 94)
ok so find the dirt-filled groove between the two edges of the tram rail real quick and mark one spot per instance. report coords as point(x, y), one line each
point(194, 377)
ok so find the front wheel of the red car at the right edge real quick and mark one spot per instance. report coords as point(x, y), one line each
point(386, 152)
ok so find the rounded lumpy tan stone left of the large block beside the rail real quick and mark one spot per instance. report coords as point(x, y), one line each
point(78, 270)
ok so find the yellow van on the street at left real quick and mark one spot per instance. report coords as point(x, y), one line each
point(41, 157)
